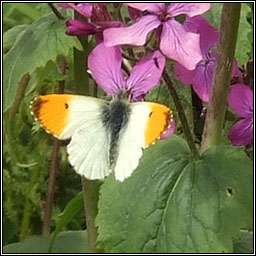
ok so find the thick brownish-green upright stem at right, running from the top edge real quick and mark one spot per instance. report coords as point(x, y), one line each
point(218, 103)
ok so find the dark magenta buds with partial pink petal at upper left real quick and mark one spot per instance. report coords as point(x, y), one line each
point(100, 20)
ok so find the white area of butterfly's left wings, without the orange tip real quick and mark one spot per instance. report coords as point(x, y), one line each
point(88, 149)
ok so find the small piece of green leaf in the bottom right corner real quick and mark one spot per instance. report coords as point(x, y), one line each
point(245, 244)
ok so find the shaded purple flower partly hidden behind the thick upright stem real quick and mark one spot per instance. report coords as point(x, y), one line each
point(201, 77)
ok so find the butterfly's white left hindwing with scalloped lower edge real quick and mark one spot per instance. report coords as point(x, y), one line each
point(89, 150)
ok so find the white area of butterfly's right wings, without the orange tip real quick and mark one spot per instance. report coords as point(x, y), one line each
point(132, 141)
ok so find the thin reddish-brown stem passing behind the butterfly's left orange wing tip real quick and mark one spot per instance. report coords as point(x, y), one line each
point(54, 166)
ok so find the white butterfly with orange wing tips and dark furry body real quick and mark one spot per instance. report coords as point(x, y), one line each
point(105, 136)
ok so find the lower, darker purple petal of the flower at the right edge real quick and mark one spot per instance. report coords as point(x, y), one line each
point(241, 133)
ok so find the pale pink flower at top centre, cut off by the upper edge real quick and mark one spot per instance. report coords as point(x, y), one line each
point(175, 42)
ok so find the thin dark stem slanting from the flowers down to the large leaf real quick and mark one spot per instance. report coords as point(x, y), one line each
point(181, 113)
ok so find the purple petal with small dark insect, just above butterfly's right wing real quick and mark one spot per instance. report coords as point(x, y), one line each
point(146, 74)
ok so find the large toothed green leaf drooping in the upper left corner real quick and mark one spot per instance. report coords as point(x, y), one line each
point(42, 41)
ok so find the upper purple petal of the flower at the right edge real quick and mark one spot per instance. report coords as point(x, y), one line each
point(240, 99)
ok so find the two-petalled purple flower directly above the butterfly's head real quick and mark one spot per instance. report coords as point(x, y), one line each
point(105, 63)
